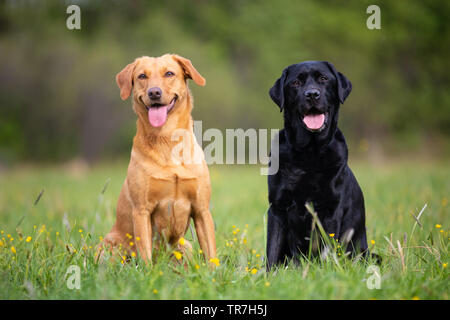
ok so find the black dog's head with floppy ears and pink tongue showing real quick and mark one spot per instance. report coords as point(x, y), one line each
point(310, 93)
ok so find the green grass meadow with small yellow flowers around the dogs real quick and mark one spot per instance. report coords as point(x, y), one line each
point(414, 262)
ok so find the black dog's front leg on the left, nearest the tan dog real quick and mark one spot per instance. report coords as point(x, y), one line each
point(277, 244)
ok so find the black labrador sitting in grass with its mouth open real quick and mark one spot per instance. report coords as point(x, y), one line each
point(312, 161)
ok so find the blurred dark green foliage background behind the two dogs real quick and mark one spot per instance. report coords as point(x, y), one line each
point(59, 100)
